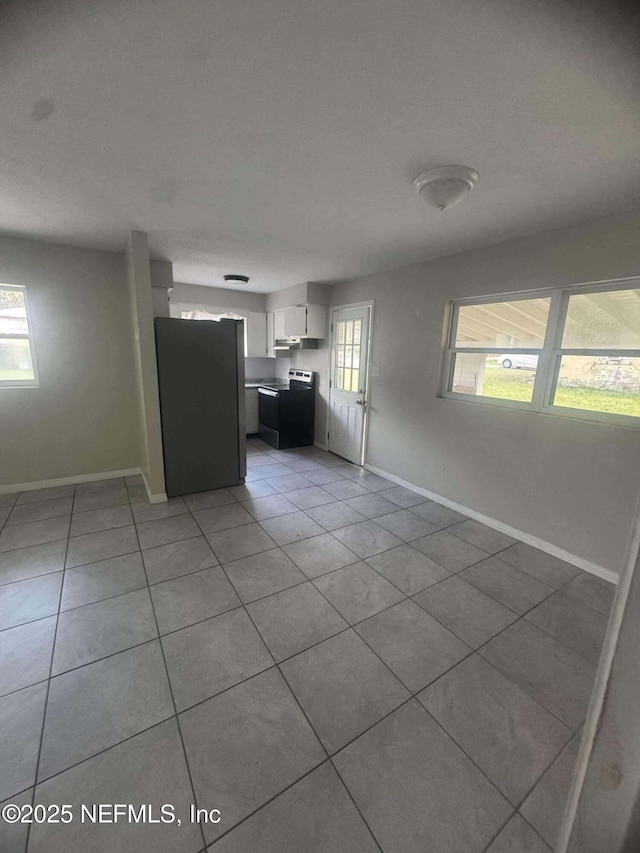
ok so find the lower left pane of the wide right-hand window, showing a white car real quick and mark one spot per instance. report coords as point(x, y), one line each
point(482, 375)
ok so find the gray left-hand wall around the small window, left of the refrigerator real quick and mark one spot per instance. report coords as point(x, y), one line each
point(83, 418)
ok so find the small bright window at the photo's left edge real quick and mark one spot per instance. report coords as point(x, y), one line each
point(17, 361)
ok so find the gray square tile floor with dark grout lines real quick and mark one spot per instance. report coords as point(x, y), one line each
point(334, 662)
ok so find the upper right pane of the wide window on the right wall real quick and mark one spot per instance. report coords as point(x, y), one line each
point(606, 320)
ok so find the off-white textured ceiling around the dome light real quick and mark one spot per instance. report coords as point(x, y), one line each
point(279, 138)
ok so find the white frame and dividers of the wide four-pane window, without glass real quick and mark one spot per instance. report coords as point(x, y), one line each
point(549, 355)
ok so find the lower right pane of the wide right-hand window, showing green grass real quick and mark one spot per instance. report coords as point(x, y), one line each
point(602, 384)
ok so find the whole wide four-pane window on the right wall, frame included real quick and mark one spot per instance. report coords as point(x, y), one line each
point(572, 351)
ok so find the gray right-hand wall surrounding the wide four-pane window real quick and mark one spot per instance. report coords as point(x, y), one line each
point(571, 483)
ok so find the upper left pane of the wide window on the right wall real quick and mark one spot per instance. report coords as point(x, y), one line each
point(521, 323)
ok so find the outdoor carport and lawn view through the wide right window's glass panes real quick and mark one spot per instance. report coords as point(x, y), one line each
point(604, 379)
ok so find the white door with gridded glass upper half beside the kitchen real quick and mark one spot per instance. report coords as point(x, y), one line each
point(350, 329)
